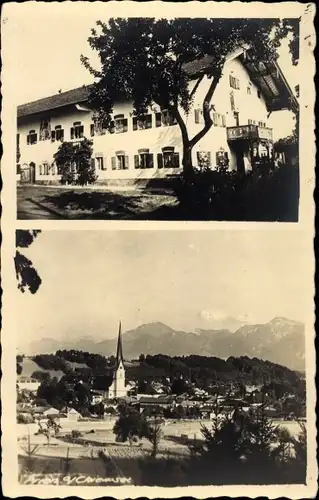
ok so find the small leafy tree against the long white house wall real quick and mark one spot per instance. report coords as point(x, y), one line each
point(74, 162)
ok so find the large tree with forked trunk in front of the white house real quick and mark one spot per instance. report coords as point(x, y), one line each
point(144, 60)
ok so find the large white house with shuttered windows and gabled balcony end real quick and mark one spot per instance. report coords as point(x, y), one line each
point(137, 151)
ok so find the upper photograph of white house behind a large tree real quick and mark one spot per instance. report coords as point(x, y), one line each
point(193, 119)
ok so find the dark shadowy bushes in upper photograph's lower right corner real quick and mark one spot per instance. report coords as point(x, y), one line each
point(265, 194)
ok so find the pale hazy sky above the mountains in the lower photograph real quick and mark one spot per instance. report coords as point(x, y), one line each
point(185, 279)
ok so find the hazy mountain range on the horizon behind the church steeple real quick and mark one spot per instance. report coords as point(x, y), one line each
point(280, 340)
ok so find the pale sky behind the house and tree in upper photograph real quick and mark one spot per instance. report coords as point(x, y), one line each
point(48, 48)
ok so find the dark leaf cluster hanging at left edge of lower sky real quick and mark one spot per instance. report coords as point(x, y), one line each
point(26, 274)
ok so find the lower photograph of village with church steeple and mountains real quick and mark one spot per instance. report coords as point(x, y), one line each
point(161, 358)
